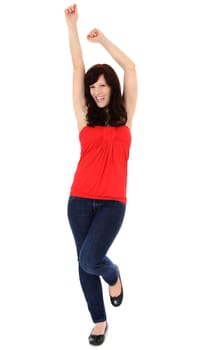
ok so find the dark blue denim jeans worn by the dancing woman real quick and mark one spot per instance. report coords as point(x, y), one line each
point(95, 224)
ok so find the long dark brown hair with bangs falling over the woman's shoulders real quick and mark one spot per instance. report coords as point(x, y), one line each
point(115, 113)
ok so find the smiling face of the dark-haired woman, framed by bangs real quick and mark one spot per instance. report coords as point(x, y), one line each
point(101, 92)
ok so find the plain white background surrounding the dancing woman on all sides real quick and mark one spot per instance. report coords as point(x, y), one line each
point(41, 303)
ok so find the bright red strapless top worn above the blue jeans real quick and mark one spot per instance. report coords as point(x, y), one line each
point(102, 169)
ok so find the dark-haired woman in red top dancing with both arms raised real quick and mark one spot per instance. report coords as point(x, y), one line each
point(97, 200)
